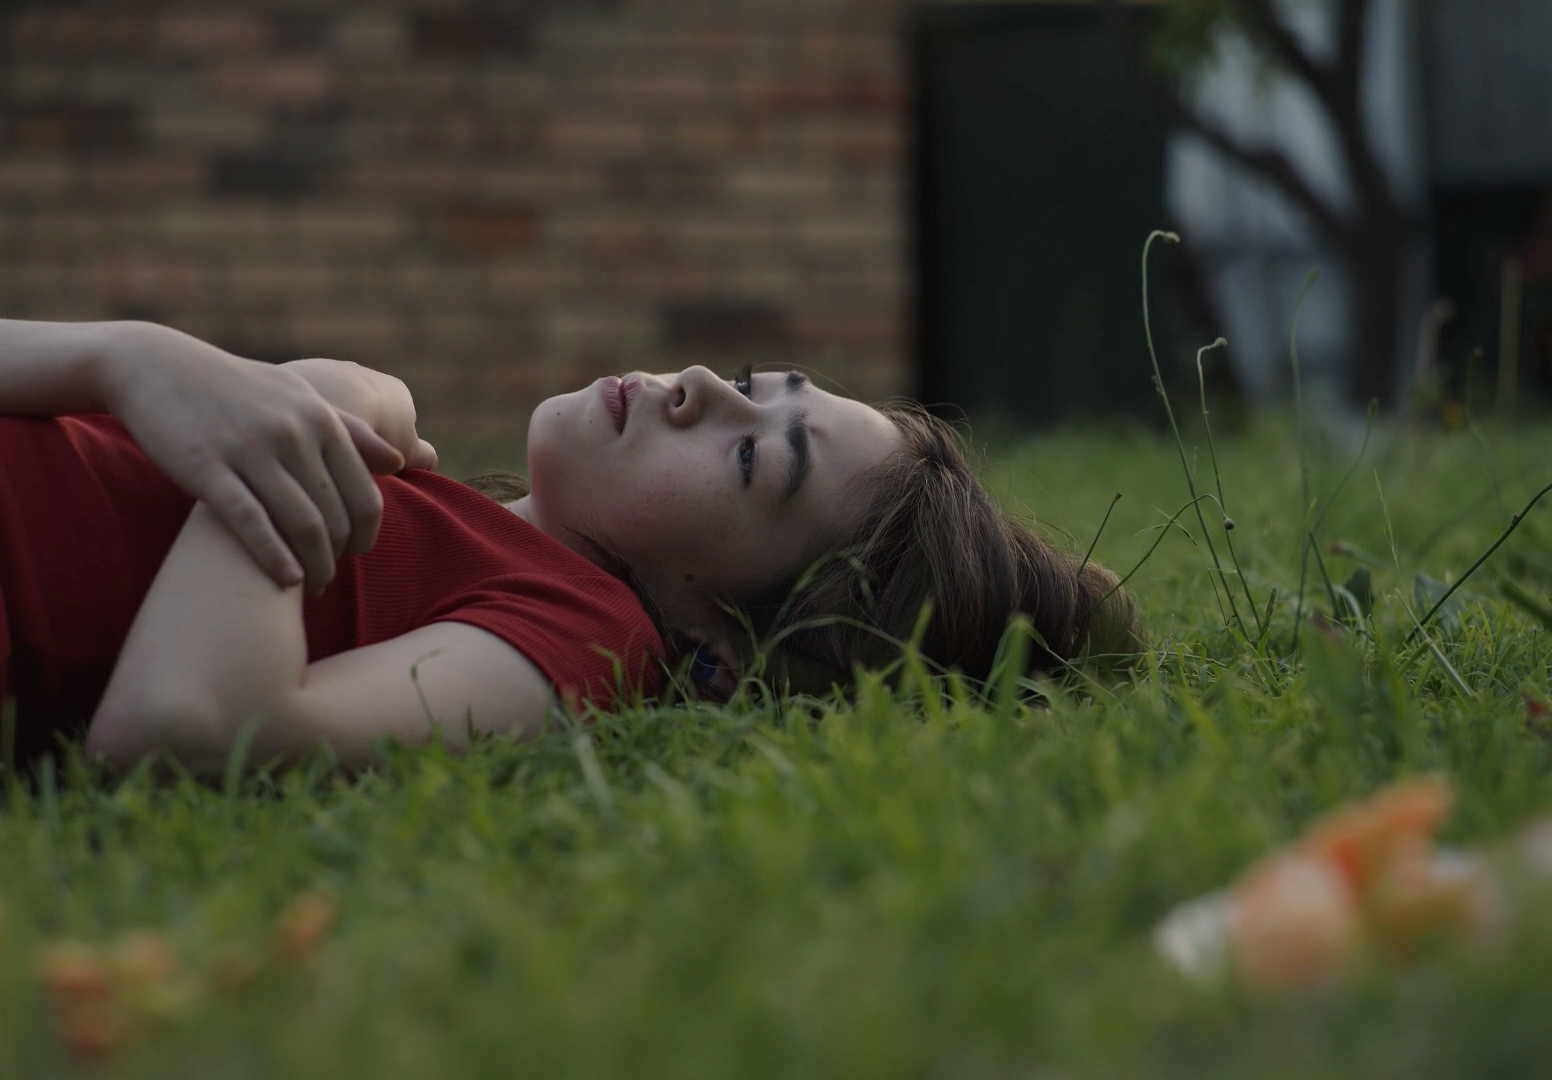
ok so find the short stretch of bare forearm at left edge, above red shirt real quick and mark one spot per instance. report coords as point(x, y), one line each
point(58, 369)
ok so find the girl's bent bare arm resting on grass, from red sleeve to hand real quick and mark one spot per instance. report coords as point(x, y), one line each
point(217, 643)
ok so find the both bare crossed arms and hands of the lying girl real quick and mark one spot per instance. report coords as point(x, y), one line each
point(282, 462)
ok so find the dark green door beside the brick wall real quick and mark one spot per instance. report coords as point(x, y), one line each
point(1039, 178)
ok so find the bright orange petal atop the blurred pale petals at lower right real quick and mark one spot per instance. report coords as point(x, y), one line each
point(1398, 825)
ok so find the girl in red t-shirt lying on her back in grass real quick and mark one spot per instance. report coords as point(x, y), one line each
point(668, 519)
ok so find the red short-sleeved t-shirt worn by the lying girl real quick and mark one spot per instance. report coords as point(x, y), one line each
point(86, 521)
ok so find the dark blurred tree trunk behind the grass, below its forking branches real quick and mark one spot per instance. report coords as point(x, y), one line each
point(1376, 254)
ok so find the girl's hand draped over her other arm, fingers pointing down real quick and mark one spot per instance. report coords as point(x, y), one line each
point(286, 471)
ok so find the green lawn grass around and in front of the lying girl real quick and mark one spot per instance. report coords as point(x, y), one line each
point(910, 885)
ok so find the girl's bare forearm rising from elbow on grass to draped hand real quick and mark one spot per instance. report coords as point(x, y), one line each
point(215, 645)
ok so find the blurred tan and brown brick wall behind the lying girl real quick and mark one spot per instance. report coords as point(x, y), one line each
point(493, 201)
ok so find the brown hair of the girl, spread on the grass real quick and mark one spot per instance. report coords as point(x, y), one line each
point(929, 533)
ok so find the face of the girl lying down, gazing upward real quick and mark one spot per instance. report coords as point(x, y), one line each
point(702, 482)
